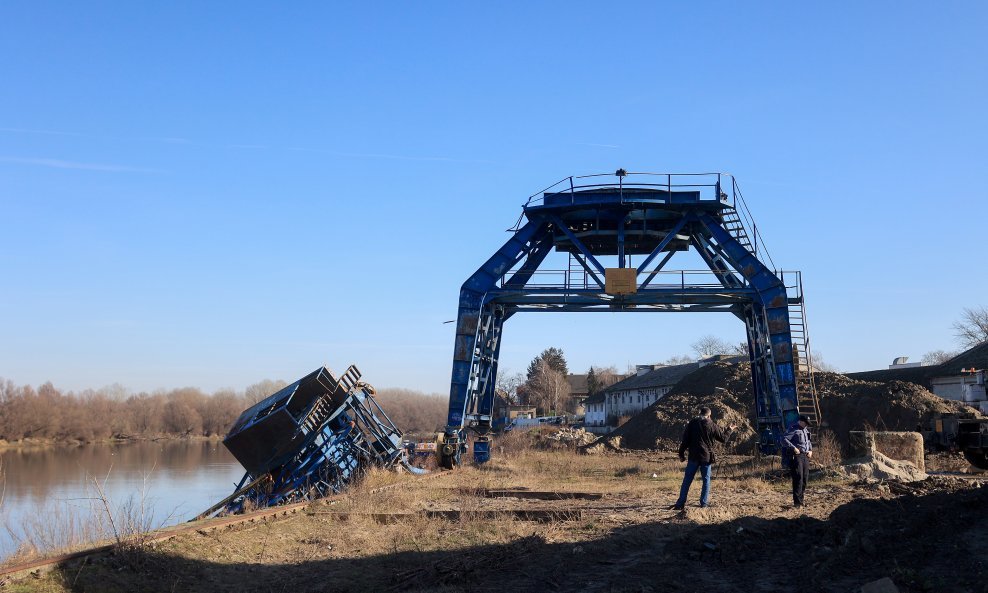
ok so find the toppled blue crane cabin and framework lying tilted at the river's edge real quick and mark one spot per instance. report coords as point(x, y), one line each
point(309, 440)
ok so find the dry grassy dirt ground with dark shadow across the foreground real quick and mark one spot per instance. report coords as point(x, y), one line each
point(457, 533)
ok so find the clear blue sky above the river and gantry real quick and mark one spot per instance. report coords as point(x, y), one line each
point(212, 194)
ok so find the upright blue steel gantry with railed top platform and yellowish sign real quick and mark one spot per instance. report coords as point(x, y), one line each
point(619, 216)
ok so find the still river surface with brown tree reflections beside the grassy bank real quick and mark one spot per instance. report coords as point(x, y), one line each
point(181, 479)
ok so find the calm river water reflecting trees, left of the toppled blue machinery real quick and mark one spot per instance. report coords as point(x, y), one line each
point(53, 492)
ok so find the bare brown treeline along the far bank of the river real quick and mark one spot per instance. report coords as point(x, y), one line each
point(47, 413)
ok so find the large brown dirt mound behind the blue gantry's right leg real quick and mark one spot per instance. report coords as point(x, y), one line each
point(846, 404)
